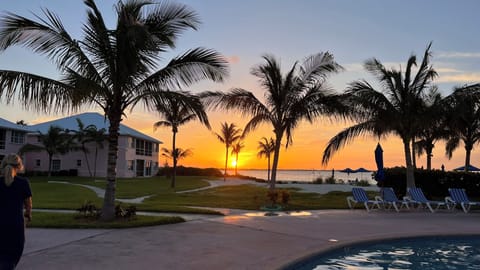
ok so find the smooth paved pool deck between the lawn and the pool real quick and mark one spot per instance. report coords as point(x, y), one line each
point(239, 240)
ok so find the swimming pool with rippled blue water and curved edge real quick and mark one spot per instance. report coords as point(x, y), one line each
point(425, 253)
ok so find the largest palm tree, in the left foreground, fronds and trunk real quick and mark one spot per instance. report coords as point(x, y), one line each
point(114, 69)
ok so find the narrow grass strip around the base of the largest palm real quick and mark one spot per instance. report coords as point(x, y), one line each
point(74, 221)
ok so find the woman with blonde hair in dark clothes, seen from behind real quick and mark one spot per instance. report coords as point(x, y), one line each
point(15, 195)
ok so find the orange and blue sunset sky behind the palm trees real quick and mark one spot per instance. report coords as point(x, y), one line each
point(353, 31)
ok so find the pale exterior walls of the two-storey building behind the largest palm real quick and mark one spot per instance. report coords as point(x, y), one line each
point(77, 160)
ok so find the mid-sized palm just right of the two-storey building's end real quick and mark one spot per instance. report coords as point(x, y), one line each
point(179, 110)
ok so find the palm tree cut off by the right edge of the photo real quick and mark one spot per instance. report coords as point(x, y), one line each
point(464, 120)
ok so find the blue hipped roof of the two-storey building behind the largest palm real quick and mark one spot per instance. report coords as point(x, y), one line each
point(90, 118)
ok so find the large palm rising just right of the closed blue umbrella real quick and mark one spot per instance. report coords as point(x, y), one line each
point(395, 108)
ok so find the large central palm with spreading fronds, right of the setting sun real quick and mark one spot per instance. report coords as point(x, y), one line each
point(300, 94)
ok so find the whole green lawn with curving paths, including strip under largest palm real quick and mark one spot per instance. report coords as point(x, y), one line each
point(163, 198)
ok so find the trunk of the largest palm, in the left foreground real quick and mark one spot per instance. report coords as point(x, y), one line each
point(108, 209)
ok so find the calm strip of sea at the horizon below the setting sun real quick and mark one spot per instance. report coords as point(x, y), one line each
point(306, 175)
